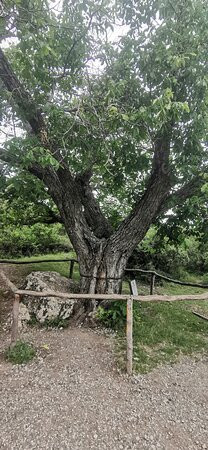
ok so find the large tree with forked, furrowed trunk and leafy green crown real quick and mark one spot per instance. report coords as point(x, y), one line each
point(104, 122)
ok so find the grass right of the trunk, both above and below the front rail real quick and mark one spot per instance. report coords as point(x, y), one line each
point(162, 331)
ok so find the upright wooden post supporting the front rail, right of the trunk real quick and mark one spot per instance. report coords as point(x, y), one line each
point(129, 335)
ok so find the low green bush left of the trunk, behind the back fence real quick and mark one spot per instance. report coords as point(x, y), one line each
point(32, 240)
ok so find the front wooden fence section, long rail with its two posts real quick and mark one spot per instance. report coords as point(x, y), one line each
point(18, 293)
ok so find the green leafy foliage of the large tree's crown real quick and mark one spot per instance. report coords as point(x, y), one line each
point(155, 78)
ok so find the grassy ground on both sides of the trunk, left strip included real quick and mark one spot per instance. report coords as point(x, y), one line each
point(162, 331)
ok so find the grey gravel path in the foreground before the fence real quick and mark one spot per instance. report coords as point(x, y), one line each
point(72, 397)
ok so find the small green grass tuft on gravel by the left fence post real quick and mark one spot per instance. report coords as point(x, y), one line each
point(21, 353)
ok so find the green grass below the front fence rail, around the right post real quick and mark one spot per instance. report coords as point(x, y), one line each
point(162, 332)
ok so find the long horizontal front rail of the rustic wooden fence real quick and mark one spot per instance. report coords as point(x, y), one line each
point(140, 298)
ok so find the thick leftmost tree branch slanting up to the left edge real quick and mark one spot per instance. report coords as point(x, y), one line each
point(60, 183)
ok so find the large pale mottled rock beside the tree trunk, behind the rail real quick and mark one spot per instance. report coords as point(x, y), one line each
point(43, 309)
